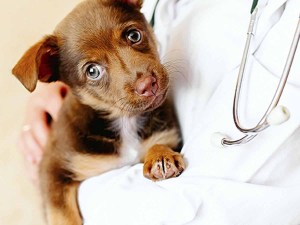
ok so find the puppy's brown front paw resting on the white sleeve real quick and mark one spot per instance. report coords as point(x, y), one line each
point(161, 163)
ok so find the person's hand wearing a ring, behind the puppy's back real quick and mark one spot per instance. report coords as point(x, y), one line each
point(42, 109)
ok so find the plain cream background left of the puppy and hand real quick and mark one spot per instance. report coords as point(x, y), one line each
point(22, 23)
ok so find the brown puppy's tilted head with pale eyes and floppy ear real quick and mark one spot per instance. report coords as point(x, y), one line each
point(105, 51)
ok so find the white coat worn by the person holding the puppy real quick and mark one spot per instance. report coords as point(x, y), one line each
point(201, 43)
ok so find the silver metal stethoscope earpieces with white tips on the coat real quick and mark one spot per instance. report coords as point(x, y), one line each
point(275, 114)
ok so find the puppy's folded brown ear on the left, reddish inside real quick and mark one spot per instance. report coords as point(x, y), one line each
point(40, 62)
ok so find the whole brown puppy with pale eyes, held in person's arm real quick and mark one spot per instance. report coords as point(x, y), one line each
point(116, 113)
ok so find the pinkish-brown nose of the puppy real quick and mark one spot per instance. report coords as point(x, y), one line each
point(146, 86)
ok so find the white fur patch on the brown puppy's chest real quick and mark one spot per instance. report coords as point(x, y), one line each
point(130, 142)
